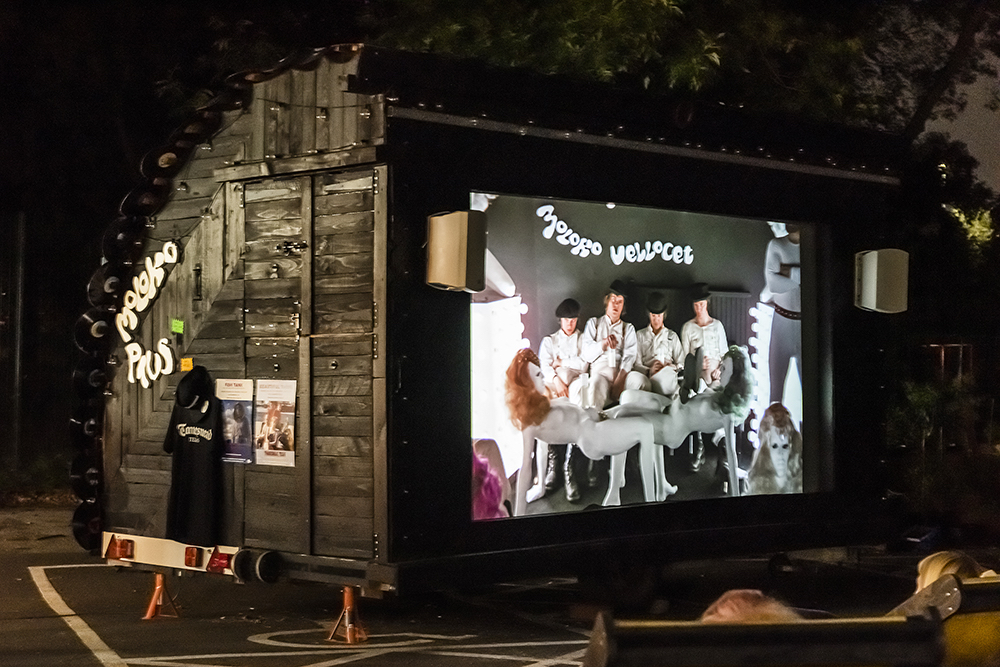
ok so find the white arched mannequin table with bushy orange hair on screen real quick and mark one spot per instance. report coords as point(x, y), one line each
point(544, 421)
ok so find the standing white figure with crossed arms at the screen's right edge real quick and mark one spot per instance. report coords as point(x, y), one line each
point(782, 291)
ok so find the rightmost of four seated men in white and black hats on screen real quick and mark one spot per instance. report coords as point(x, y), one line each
point(704, 341)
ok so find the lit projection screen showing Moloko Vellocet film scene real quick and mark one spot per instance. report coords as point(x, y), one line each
point(616, 343)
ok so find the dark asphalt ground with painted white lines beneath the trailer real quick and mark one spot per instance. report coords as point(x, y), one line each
point(61, 605)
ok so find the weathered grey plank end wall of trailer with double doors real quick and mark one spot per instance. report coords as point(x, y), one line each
point(281, 217)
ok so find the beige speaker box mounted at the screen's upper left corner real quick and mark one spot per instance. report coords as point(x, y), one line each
point(456, 251)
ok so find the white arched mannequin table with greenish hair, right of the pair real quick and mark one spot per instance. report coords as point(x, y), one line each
point(721, 408)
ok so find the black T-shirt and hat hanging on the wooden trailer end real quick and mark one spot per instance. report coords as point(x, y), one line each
point(195, 439)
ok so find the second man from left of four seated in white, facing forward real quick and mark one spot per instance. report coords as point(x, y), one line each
point(611, 348)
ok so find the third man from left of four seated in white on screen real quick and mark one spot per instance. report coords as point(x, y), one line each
point(661, 355)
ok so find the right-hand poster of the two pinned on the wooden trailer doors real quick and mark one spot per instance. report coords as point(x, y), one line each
point(274, 432)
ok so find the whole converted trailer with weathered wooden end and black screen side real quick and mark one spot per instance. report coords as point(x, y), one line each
point(281, 242)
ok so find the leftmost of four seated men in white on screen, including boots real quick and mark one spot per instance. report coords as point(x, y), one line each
point(565, 374)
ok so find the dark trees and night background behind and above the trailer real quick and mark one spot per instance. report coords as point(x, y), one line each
point(91, 86)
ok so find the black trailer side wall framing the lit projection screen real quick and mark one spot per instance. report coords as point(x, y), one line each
point(433, 167)
